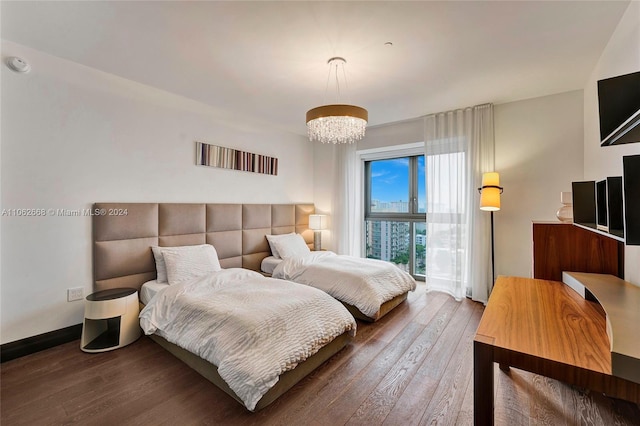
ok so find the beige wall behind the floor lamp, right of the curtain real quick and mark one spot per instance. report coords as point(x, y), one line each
point(539, 146)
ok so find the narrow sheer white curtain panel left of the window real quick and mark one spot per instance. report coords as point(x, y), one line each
point(347, 215)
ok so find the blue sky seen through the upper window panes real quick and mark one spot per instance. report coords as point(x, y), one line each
point(390, 179)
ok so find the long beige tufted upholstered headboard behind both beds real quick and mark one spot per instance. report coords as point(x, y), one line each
point(123, 234)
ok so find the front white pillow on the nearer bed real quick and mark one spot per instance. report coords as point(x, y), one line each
point(185, 265)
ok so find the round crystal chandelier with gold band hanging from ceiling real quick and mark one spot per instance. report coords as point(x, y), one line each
point(337, 123)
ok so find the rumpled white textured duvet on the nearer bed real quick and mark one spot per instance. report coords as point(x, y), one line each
point(251, 327)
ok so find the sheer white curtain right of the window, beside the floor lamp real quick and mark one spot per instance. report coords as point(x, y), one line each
point(459, 147)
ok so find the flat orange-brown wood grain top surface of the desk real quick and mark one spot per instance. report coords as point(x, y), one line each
point(548, 320)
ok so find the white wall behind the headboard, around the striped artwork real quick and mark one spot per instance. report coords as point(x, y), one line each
point(72, 136)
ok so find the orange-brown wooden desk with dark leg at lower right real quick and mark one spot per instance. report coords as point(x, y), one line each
point(546, 328)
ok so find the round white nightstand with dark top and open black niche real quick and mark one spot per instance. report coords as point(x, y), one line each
point(110, 320)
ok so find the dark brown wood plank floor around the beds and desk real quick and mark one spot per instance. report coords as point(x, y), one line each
point(414, 367)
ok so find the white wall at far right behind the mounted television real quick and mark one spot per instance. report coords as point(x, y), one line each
point(621, 56)
